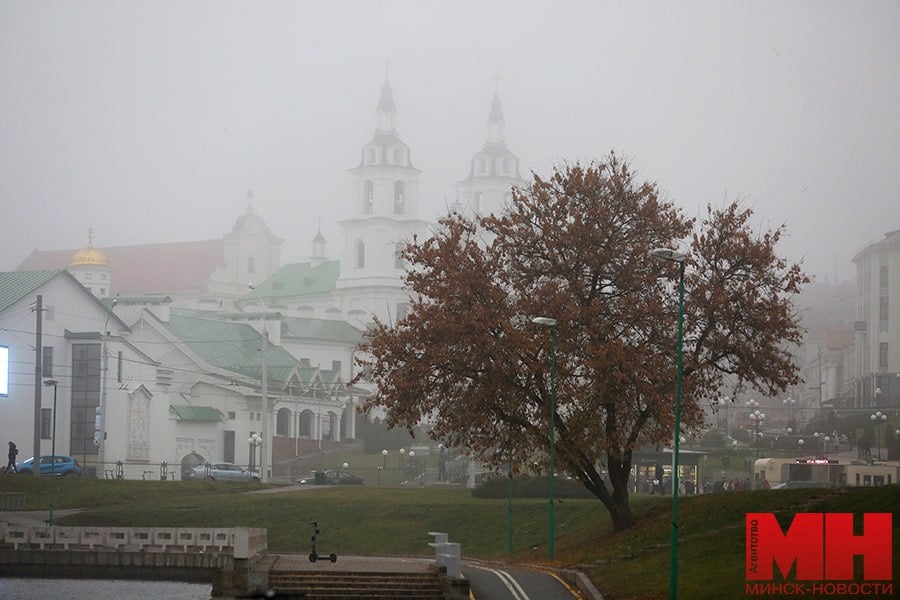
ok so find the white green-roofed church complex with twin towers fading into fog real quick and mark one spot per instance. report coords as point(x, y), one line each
point(172, 354)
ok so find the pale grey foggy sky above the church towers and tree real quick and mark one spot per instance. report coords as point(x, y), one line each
point(150, 120)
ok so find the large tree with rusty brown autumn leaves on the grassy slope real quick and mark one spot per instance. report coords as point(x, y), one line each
point(468, 359)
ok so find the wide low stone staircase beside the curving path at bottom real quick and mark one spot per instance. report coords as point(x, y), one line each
point(337, 585)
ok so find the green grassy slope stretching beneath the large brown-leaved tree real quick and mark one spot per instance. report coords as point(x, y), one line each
point(375, 520)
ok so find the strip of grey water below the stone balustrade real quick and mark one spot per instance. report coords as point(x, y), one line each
point(91, 589)
